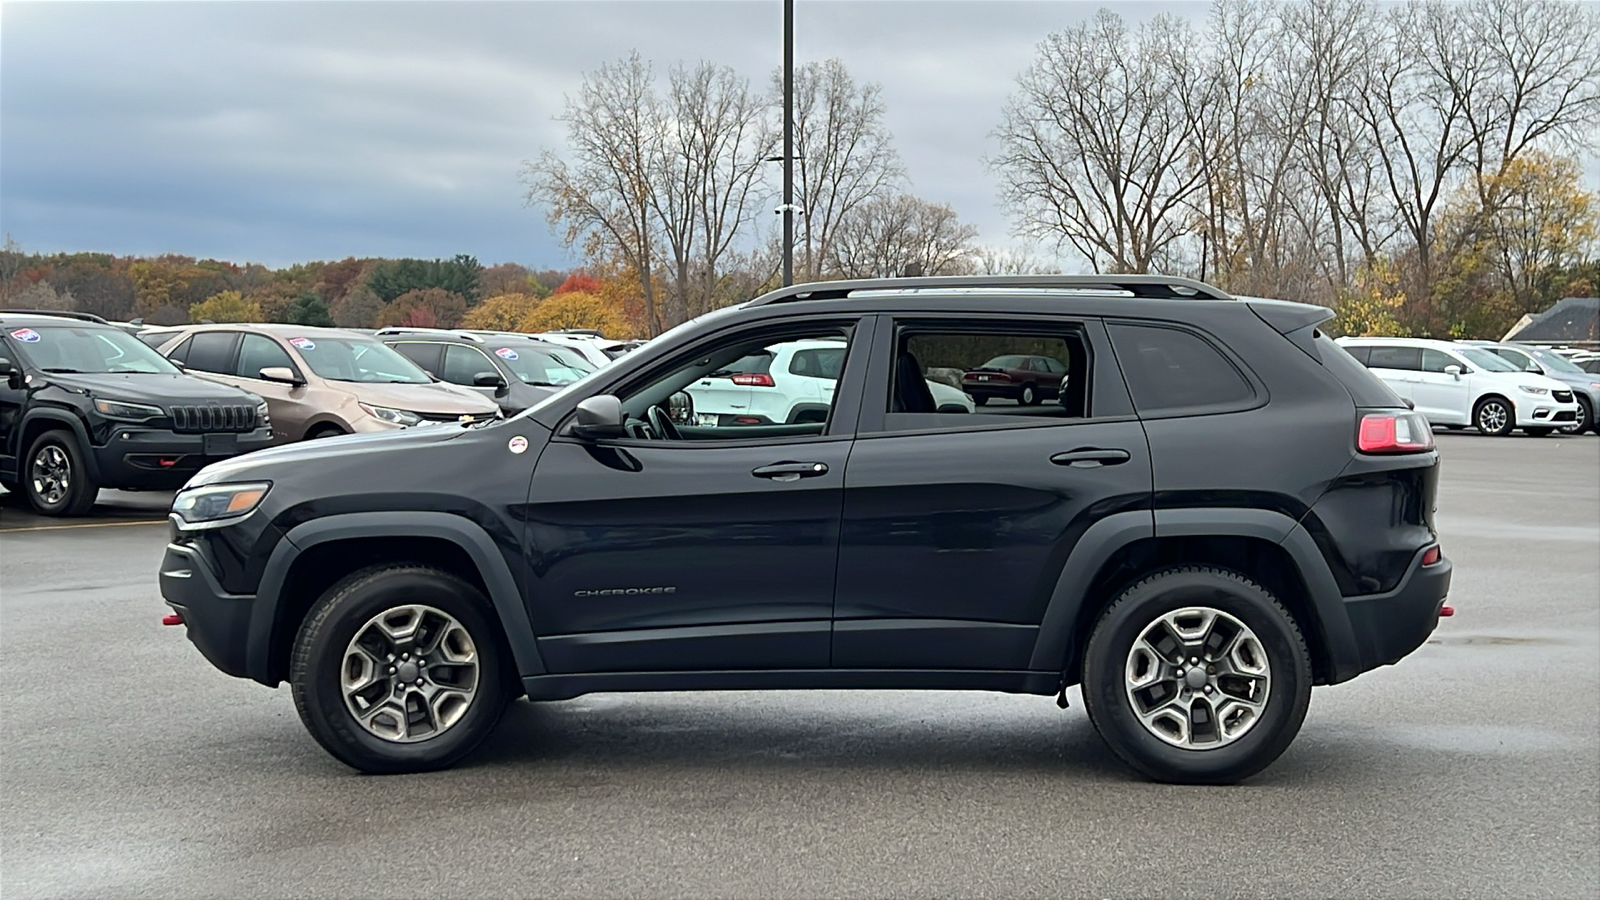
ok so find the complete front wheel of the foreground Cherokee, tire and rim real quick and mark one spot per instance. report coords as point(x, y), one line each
point(399, 669)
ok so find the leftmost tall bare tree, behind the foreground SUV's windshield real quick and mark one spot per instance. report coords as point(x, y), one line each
point(604, 199)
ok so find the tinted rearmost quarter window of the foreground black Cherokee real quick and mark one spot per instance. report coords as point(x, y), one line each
point(1172, 371)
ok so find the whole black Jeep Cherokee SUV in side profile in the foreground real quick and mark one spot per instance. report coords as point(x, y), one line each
point(1223, 510)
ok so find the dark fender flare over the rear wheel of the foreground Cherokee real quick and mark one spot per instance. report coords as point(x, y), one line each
point(1114, 532)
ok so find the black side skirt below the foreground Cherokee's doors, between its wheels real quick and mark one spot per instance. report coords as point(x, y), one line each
point(569, 686)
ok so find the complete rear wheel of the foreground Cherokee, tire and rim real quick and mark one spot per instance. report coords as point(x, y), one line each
point(1198, 677)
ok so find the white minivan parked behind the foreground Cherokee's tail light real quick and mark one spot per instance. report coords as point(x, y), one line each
point(1458, 385)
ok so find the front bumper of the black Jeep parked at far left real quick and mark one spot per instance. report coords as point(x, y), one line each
point(162, 460)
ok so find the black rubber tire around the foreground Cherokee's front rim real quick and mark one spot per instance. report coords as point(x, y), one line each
point(345, 611)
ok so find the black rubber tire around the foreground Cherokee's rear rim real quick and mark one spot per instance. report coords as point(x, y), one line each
point(1138, 608)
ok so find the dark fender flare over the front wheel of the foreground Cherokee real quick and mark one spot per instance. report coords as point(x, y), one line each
point(319, 553)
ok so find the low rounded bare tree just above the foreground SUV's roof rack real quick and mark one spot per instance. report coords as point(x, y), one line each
point(895, 236)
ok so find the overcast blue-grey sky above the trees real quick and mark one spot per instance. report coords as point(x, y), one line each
point(316, 131)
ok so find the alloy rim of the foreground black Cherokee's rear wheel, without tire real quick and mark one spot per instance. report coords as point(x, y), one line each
point(1198, 678)
